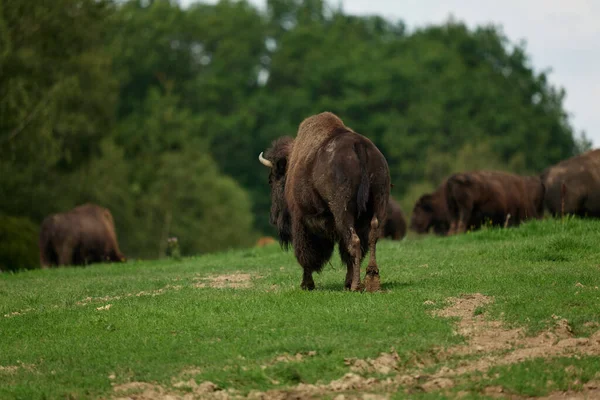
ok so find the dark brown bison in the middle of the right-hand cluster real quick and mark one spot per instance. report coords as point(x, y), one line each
point(503, 198)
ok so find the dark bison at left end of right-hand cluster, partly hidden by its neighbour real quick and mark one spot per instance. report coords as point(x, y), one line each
point(431, 212)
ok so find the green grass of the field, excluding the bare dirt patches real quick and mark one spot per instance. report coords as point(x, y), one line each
point(72, 349)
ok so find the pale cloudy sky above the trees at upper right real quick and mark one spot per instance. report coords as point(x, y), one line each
point(562, 36)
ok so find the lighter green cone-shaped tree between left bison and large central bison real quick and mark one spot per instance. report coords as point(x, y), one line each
point(175, 184)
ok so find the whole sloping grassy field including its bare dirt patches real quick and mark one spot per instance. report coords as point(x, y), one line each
point(240, 321)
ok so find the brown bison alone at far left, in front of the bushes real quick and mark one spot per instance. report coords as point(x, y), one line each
point(86, 234)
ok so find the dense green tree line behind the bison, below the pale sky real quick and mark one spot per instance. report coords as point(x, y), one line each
point(158, 112)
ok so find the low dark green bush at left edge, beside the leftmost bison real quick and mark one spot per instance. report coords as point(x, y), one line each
point(18, 244)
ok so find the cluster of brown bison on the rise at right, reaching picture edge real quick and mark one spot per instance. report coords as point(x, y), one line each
point(469, 200)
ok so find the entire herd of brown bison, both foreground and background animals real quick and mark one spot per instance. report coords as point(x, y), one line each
point(331, 186)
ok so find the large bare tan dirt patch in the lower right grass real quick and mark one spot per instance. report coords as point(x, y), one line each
point(489, 344)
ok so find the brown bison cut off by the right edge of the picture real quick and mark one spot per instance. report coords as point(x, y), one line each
point(573, 185)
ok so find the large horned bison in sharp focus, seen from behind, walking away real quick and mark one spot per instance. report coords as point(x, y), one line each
point(329, 185)
